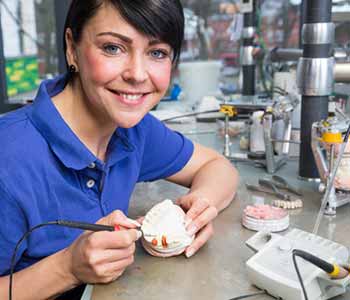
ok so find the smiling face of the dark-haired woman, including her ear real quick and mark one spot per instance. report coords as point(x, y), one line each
point(123, 73)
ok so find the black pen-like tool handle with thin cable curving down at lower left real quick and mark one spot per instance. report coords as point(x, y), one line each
point(71, 224)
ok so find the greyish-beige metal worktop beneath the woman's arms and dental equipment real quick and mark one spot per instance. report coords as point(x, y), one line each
point(217, 271)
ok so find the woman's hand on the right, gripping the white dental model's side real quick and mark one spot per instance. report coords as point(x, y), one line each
point(199, 216)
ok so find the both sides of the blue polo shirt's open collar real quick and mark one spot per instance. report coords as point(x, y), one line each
point(62, 140)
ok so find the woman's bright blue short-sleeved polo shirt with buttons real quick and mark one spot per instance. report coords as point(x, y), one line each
point(46, 173)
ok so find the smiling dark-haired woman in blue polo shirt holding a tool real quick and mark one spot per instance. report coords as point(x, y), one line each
point(78, 151)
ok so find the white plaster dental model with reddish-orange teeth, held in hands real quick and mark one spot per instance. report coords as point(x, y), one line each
point(164, 232)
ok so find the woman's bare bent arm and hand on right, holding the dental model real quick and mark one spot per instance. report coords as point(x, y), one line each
point(213, 182)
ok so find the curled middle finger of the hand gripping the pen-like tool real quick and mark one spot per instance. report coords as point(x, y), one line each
point(110, 255)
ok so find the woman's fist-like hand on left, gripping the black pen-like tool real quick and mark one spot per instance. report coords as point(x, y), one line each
point(101, 257)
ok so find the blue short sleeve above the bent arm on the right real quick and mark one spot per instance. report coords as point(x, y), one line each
point(166, 151)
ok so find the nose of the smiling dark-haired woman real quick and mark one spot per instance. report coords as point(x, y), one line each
point(135, 70)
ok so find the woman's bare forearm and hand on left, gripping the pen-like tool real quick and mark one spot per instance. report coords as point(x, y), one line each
point(94, 257)
